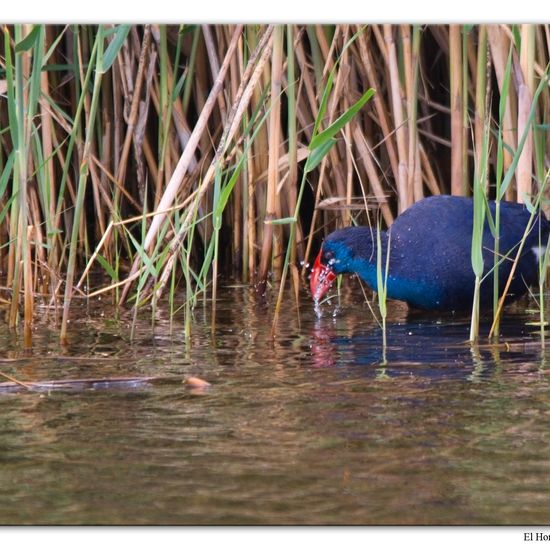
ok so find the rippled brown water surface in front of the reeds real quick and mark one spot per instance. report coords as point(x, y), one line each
point(306, 428)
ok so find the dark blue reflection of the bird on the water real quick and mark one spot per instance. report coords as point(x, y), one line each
point(424, 347)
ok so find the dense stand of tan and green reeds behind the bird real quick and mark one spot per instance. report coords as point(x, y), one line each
point(165, 157)
